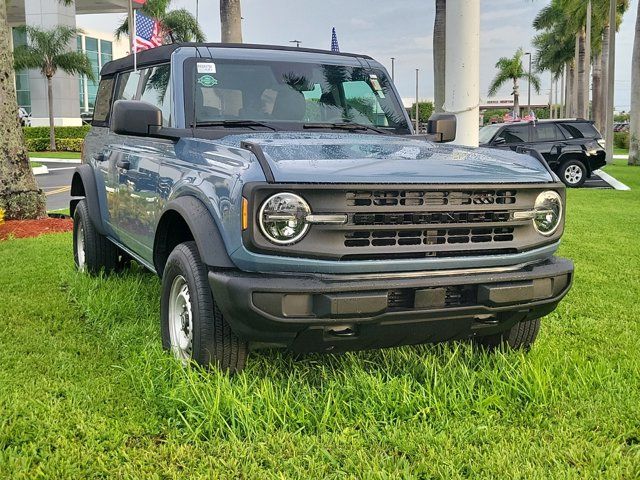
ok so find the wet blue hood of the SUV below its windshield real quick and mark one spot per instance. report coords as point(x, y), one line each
point(358, 158)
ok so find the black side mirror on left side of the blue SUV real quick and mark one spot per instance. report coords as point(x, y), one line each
point(135, 117)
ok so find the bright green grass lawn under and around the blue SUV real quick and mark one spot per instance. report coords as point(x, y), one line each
point(86, 391)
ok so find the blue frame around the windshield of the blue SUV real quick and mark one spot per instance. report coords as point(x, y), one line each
point(189, 72)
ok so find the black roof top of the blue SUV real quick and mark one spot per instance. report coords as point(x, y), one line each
point(163, 54)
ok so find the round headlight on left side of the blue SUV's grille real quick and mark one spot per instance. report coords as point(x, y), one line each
point(282, 218)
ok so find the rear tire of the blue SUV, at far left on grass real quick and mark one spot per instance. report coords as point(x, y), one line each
point(92, 251)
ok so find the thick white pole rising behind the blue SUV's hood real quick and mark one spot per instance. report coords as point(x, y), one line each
point(462, 68)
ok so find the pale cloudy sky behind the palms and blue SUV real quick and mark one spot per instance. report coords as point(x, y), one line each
point(383, 29)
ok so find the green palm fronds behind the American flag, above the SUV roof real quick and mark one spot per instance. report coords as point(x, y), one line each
point(177, 25)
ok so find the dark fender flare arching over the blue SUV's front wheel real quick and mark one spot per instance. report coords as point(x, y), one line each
point(204, 229)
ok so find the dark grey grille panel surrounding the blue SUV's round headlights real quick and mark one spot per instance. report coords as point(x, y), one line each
point(395, 222)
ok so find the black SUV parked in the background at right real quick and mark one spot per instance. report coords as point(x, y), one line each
point(572, 148)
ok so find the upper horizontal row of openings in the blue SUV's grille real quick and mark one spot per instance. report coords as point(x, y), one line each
point(417, 198)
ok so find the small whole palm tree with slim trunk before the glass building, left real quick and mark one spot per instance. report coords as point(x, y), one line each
point(48, 51)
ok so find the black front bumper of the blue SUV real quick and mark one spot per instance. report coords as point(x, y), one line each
point(317, 312)
